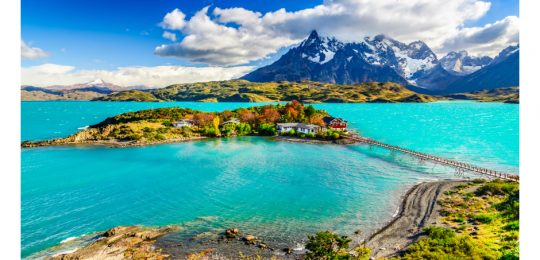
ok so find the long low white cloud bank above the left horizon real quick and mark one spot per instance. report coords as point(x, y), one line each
point(158, 76)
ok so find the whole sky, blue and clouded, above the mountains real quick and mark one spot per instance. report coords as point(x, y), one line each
point(106, 35)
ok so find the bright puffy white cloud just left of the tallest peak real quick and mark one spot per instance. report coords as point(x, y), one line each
point(211, 42)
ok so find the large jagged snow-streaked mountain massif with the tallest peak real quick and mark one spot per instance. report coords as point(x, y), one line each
point(326, 59)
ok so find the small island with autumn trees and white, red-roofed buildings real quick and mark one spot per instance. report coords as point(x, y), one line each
point(292, 122)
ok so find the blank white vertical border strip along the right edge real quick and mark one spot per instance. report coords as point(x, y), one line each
point(529, 129)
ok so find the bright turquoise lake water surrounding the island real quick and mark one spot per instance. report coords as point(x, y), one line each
point(276, 190)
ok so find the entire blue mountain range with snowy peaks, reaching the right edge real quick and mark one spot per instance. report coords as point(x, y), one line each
point(381, 58)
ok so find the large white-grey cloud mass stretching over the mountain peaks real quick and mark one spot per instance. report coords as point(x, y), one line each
point(235, 36)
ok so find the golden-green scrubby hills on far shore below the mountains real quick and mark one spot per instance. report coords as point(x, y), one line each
point(245, 91)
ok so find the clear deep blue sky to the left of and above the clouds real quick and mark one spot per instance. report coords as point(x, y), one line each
point(104, 34)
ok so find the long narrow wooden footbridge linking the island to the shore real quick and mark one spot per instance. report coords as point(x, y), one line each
point(461, 168)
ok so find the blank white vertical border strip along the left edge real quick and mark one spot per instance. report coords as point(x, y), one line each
point(10, 128)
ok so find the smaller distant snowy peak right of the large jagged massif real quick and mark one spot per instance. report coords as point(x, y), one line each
point(461, 63)
